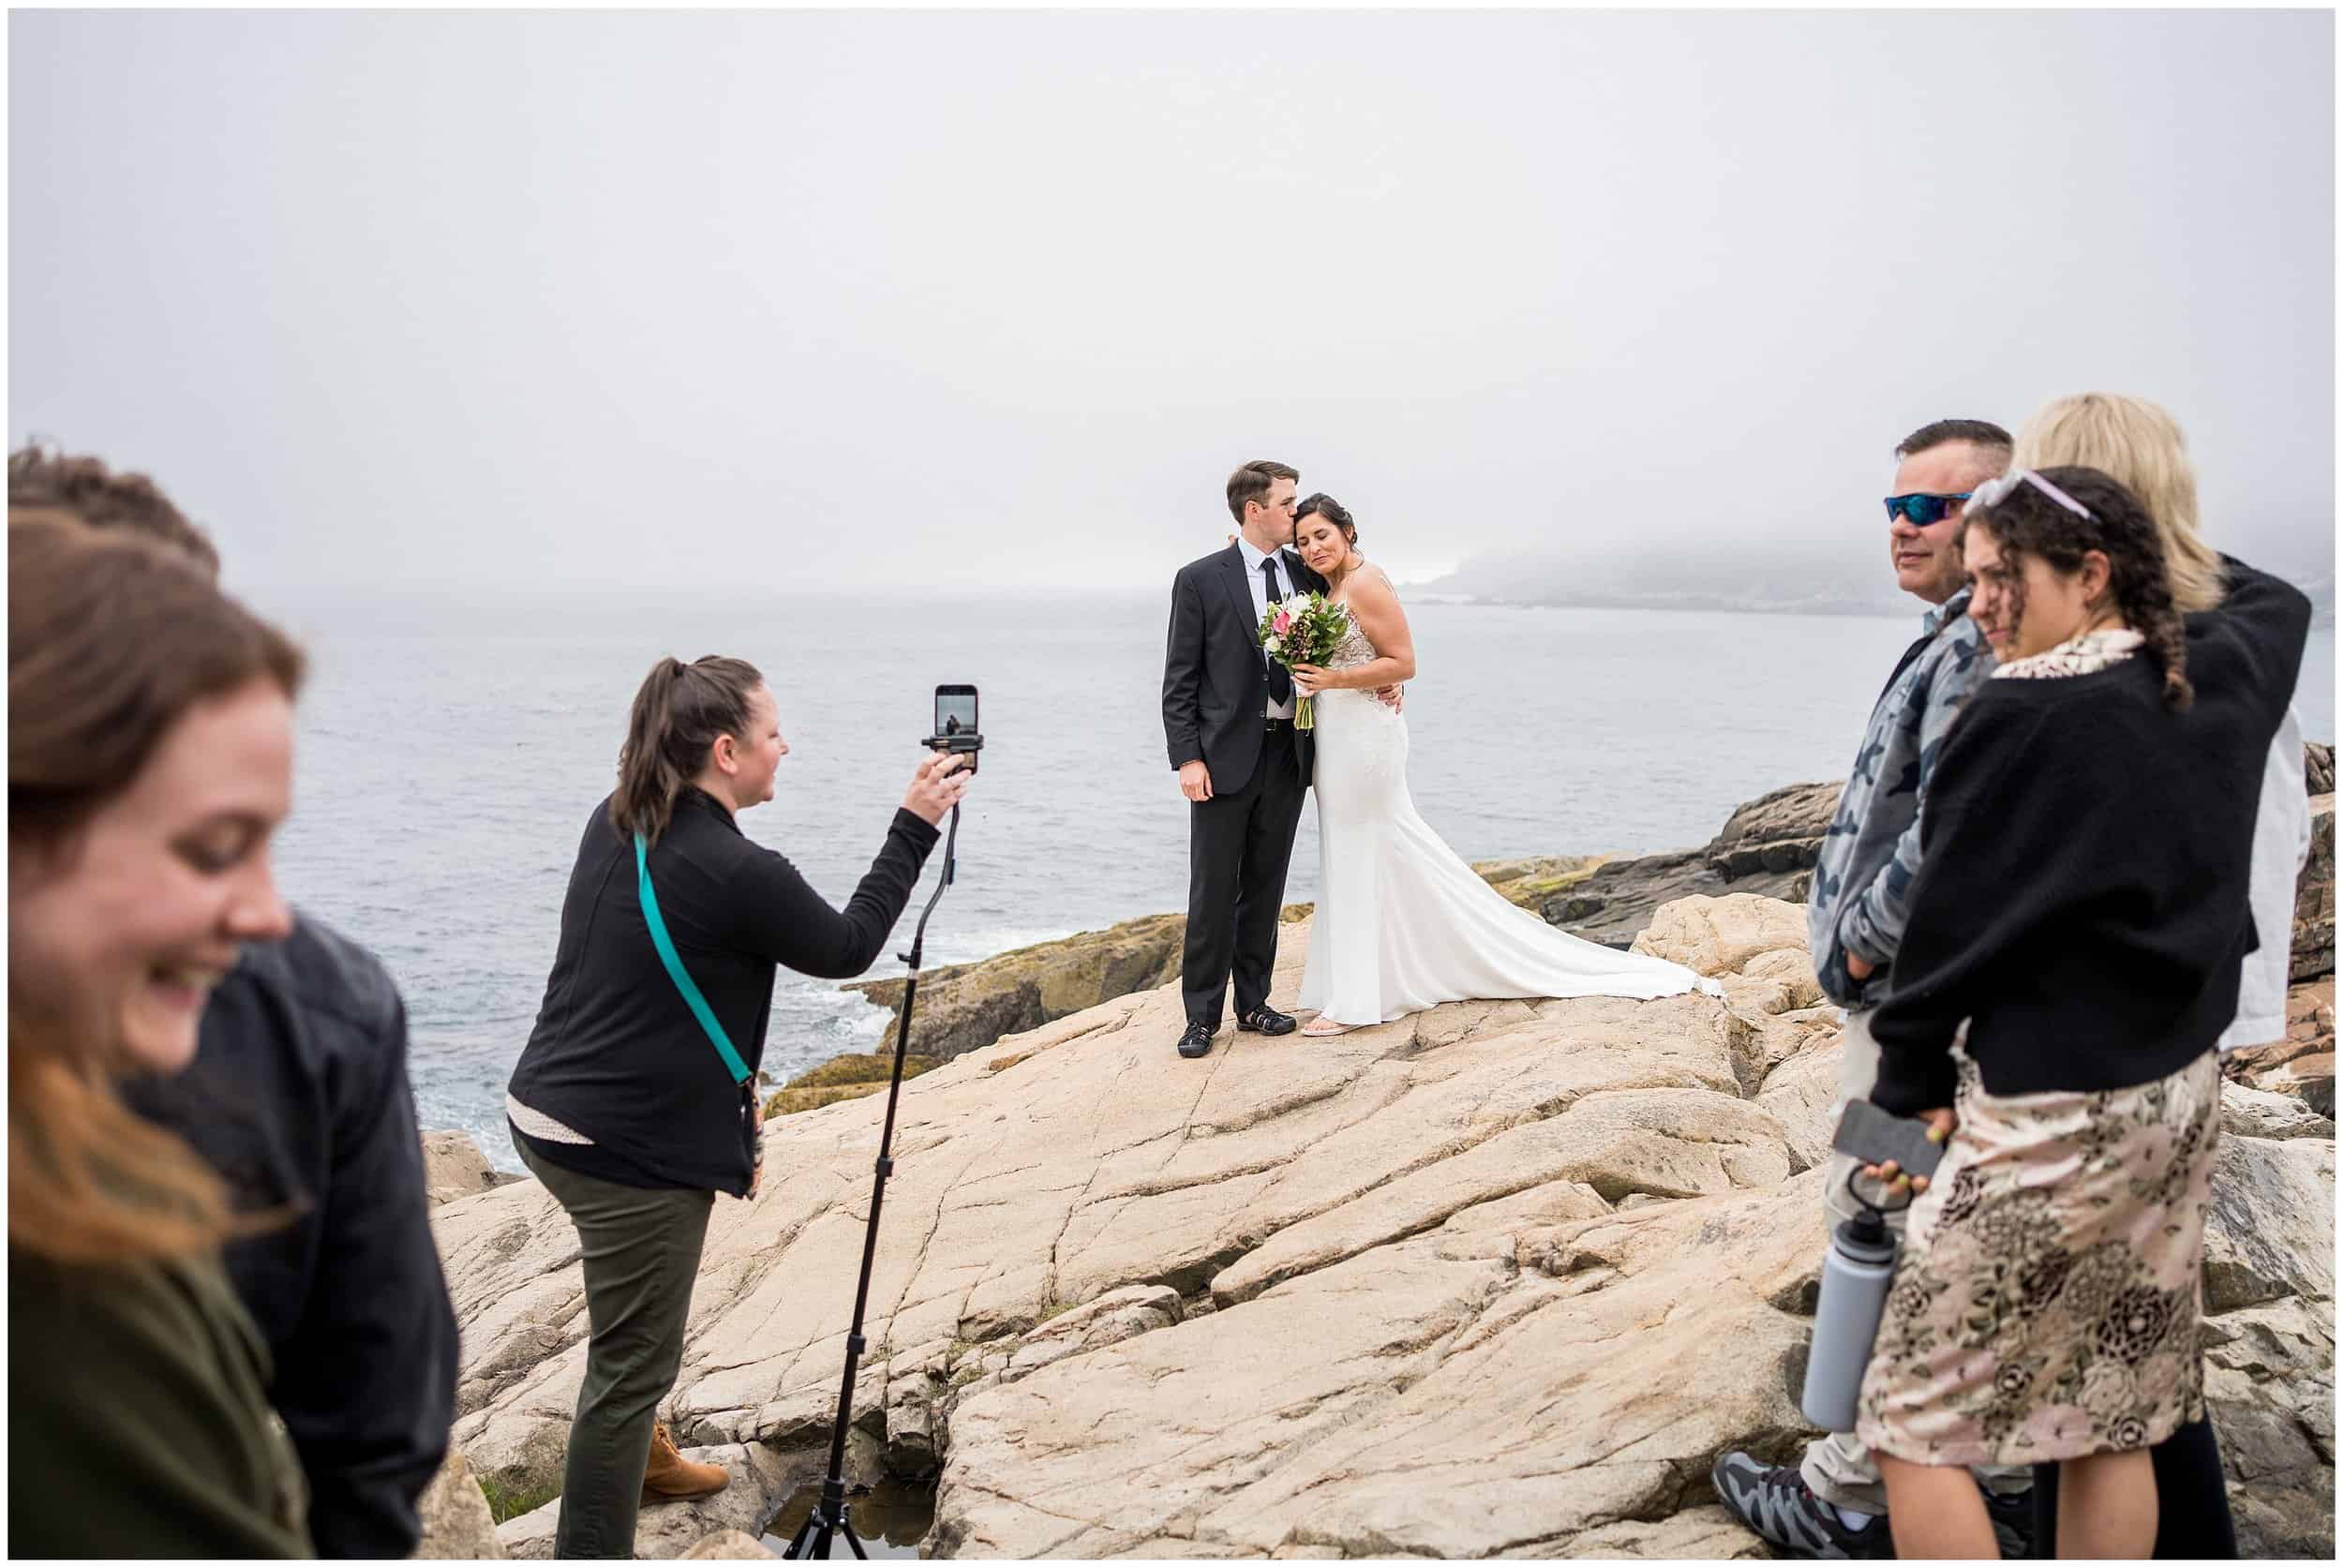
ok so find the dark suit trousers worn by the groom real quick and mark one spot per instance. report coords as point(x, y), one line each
point(1238, 852)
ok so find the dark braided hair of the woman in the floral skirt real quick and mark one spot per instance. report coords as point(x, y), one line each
point(2030, 524)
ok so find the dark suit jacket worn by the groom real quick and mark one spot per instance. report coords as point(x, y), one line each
point(1217, 681)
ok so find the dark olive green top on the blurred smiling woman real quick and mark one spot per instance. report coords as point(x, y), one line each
point(137, 1419)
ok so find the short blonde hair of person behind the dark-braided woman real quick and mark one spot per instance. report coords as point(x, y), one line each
point(2143, 449)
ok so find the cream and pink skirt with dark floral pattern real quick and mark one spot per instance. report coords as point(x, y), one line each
point(2049, 1295)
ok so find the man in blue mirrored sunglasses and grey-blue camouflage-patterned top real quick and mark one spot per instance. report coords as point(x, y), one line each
point(1833, 1506)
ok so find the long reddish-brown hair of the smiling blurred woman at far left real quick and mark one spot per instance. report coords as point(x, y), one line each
point(111, 641)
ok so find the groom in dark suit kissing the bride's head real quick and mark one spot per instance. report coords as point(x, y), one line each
point(1229, 723)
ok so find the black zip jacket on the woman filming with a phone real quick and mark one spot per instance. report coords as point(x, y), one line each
point(617, 1054)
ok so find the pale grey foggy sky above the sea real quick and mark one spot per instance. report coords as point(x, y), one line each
point(814, 301)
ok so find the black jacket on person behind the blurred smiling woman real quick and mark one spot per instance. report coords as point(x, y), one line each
point(299, 1096)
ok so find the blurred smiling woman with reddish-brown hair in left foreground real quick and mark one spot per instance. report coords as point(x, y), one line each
point(151, 761)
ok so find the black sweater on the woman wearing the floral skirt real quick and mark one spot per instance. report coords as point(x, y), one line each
point(2084, 892)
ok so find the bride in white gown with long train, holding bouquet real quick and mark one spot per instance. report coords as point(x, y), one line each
point(1402, 922)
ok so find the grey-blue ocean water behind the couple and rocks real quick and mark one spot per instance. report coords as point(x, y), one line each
point(453, 751)
